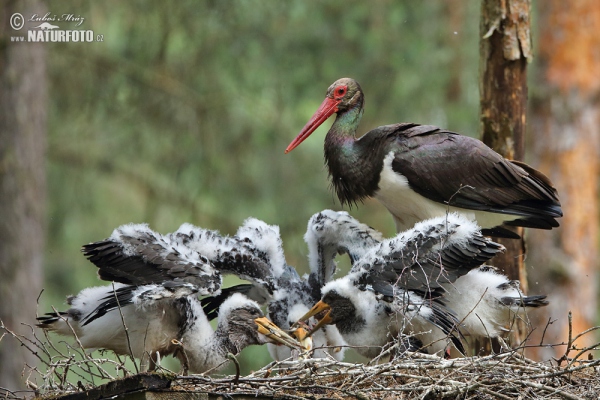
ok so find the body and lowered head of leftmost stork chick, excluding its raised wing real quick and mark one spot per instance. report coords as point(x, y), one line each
point(162, 320)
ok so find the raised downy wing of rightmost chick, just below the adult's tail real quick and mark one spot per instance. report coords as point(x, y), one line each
point(434, 252)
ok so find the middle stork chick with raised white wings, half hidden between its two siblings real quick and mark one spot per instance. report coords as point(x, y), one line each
point(293, 295)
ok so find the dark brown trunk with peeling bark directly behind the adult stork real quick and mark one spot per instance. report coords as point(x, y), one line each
point(504, 52)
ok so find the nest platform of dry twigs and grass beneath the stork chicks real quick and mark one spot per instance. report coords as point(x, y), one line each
point(499, 376)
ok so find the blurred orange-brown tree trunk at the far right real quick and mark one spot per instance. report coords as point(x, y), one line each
point(565, 118)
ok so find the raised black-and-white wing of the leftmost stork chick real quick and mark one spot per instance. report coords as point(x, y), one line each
point(136, 255)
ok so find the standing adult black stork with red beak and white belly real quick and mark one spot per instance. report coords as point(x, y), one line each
point(422, 171)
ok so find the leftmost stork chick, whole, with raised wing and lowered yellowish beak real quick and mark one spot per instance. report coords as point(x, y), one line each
point(159, 278)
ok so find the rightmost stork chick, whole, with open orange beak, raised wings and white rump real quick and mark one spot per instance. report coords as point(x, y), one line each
point(444, 250)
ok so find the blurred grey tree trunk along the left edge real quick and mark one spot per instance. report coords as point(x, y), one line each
point(22, 185)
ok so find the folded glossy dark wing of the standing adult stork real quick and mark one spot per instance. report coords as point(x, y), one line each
point(464, 172)
